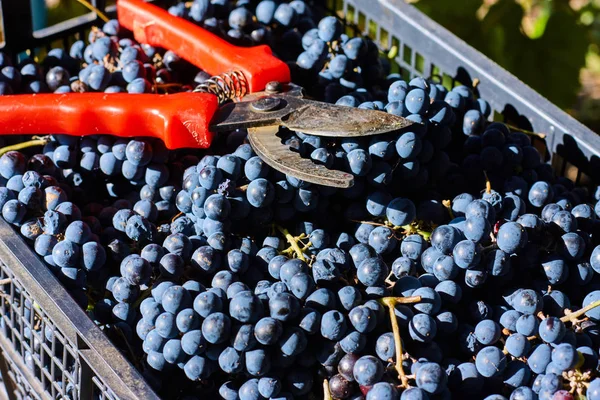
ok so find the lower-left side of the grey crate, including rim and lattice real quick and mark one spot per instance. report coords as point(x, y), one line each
point(51, 347)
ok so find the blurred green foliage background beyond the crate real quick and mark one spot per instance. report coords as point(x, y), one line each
point(552, 45)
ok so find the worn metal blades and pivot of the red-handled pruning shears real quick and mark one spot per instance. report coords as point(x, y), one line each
point(263, 115)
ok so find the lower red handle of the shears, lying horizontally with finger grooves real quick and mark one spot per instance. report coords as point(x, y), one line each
point(180, 120)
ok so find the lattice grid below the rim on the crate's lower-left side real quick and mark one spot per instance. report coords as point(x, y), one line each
point(43, 362)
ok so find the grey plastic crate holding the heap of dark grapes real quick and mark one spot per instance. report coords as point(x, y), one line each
point(76, 359)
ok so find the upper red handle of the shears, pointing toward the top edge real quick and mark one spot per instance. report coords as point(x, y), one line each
point(153, 25)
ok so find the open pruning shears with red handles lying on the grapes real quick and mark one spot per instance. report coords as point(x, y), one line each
point(257, 81)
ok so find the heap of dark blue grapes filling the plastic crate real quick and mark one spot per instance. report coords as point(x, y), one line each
point(458, 266)
